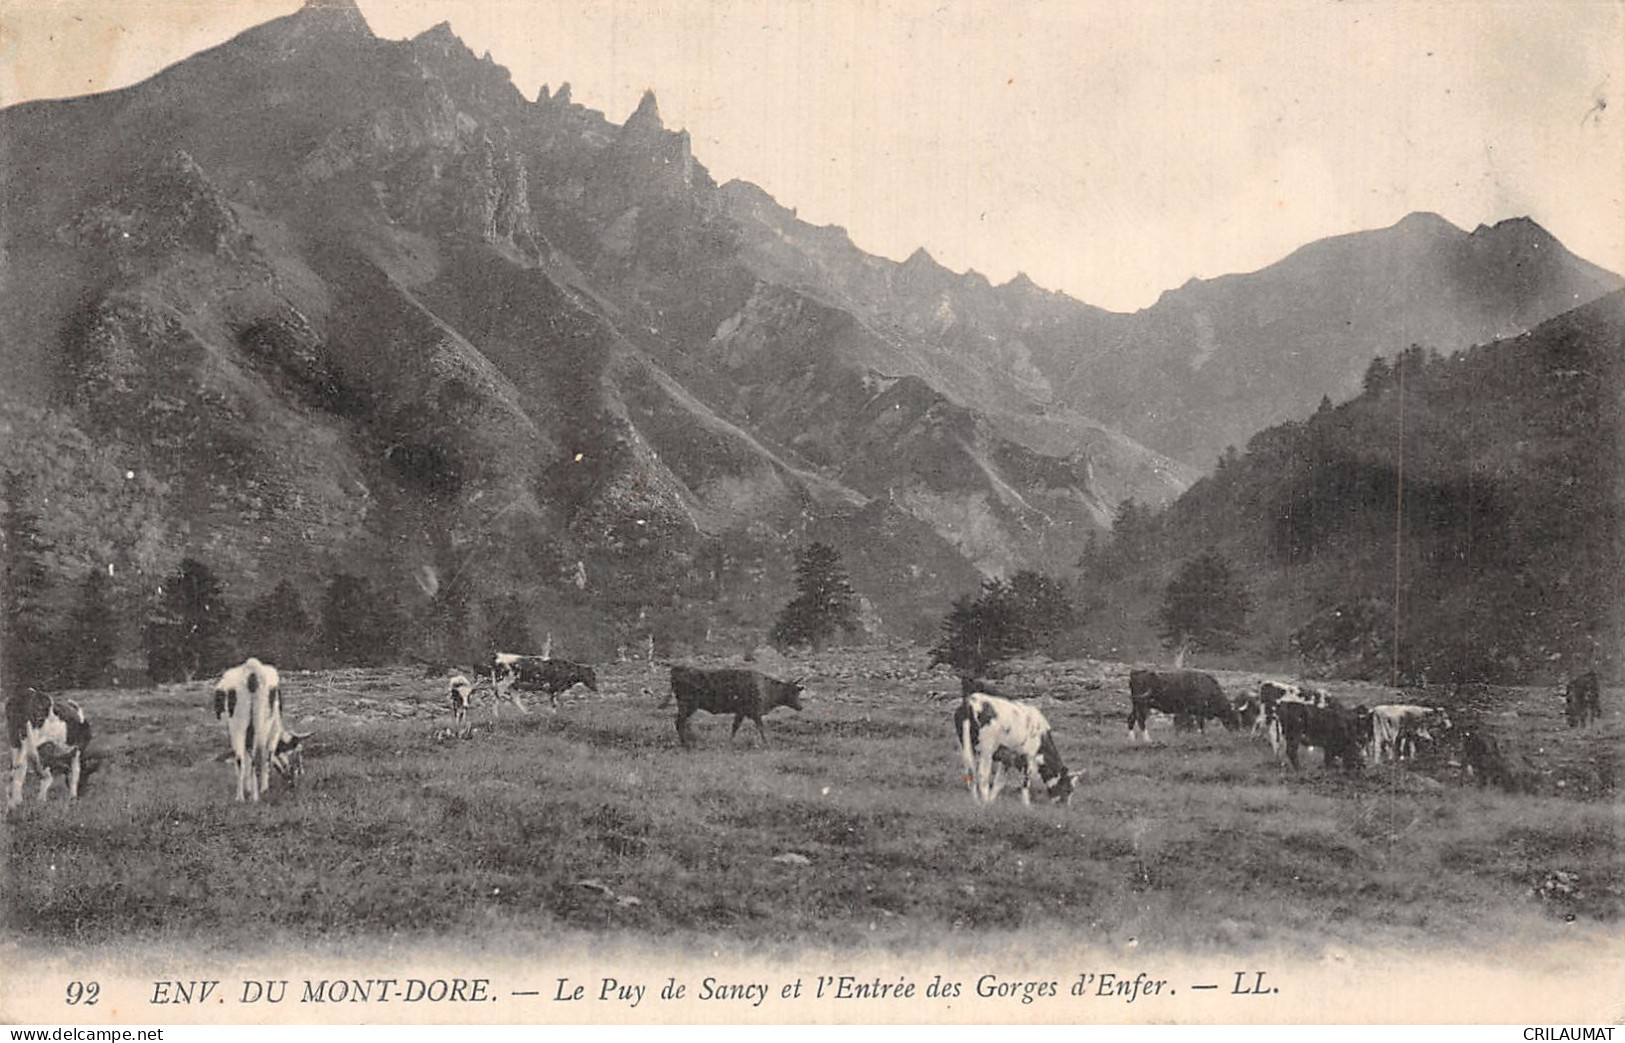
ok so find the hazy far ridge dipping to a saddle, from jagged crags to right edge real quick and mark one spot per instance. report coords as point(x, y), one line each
point(1213, 361)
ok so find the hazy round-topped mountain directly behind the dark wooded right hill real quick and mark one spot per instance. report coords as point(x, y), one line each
point(1215, 361)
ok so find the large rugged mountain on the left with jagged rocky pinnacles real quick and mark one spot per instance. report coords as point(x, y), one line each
point(336, 303)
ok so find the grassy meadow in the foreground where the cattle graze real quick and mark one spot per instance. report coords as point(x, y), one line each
point(851, 829)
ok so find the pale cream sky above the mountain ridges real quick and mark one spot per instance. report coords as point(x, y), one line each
point(1111, 150)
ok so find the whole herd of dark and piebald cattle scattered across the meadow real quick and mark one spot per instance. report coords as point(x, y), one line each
point(995, 734)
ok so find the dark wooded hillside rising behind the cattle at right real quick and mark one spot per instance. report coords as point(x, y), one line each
point(1483, 490)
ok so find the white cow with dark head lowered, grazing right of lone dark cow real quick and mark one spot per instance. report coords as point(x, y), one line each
point(995, 735)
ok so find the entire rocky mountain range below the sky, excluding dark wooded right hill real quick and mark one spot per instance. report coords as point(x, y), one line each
point(316, 301)
